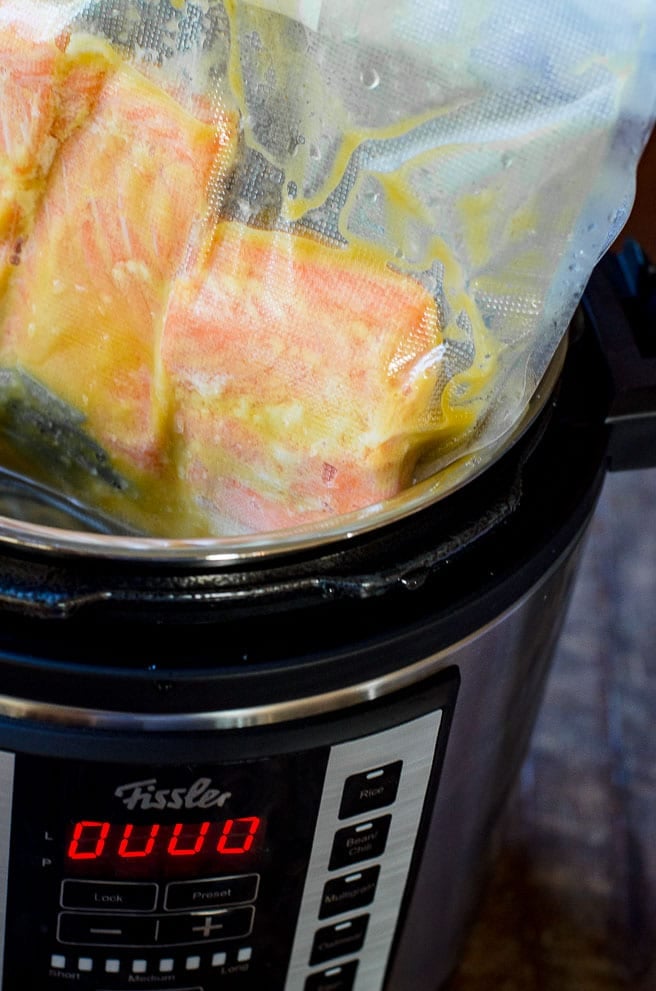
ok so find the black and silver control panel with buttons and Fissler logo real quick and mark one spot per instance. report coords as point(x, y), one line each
point(284, 872)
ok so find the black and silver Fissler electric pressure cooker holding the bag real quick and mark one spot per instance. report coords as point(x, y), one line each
point(281, 767)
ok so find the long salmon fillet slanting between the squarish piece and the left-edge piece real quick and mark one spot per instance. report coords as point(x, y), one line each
point(115, 222)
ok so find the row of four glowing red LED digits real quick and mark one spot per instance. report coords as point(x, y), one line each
point(207, 841)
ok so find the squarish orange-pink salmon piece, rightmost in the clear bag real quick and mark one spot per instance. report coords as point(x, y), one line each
point(302, 377)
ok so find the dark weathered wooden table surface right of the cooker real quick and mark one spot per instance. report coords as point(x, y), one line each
point(571, 905)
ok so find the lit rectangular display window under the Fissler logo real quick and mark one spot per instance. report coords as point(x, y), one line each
point(130, 848)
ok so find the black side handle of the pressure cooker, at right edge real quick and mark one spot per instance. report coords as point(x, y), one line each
point(620, 302)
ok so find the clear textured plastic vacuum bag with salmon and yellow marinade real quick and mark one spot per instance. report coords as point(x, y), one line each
point(267, 262)
